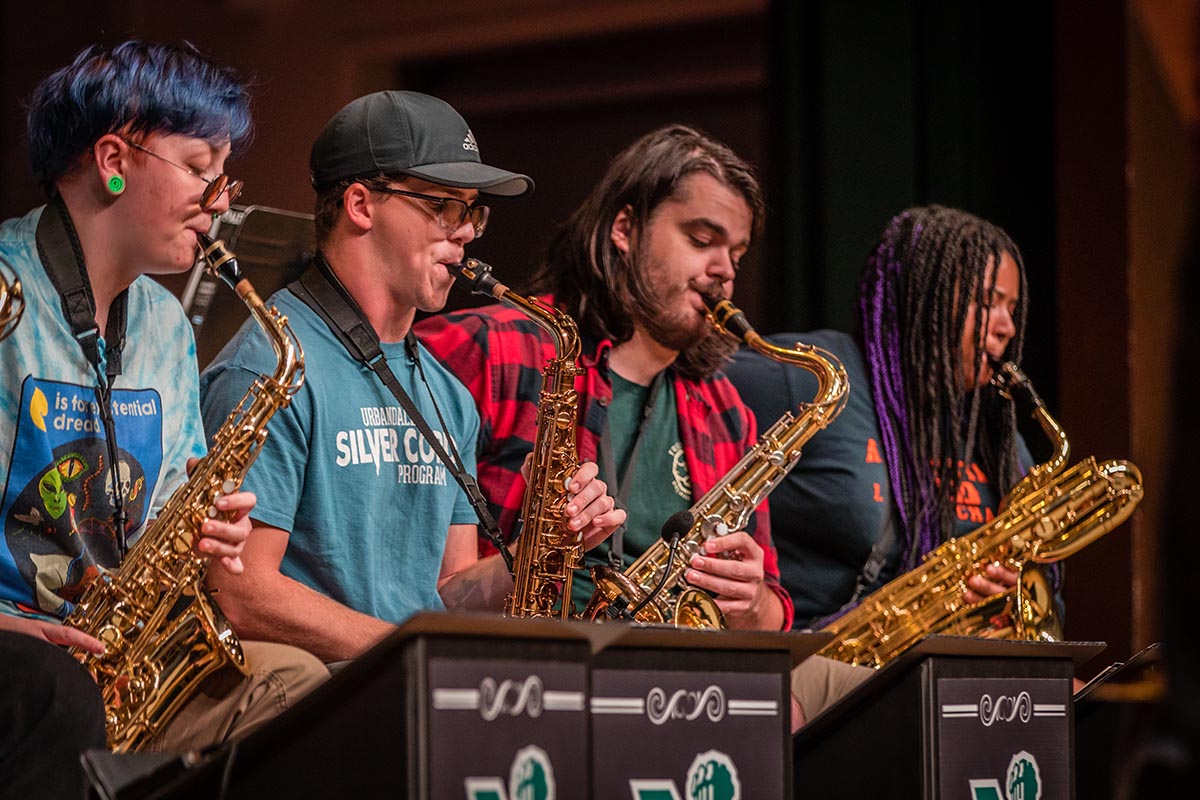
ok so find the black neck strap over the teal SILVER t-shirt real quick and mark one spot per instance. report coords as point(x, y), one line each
point(322, 292)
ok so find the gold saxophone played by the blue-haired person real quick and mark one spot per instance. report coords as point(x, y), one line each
point(163, 631)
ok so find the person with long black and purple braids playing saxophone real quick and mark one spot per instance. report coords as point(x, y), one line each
point(926, 449)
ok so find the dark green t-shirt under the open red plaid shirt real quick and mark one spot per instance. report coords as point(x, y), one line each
point(661, 485)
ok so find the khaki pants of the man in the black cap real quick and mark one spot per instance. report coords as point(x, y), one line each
point(231, 706)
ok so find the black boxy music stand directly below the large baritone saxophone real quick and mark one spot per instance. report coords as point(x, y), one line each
point(952, 718)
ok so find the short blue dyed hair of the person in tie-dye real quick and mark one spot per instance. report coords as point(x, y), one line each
point(135, 88)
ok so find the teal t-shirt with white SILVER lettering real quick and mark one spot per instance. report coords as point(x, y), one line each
point(365, 498)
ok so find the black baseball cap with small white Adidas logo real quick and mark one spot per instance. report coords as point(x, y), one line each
point(406, 134)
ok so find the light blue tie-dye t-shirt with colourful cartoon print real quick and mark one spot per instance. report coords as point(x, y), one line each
point(57, 507)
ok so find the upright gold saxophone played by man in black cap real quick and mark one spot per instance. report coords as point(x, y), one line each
point(548, 551)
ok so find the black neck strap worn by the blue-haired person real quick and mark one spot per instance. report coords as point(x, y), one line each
point(59, 250)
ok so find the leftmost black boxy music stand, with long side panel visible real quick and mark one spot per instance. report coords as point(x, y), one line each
point(447, 703)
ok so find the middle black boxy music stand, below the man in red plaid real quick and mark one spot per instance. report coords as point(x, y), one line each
point(674, 708)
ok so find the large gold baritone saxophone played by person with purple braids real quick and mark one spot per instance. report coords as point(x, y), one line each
point(1049, 515)
